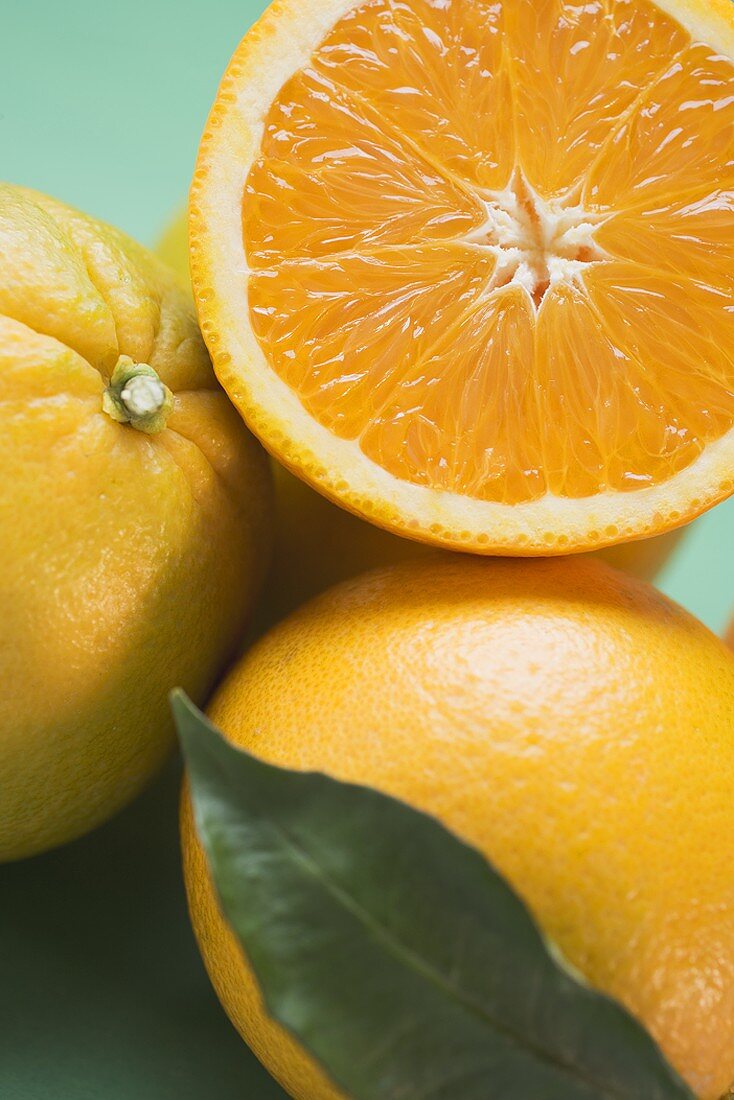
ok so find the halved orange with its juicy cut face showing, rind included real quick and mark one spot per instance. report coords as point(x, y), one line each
point(466, 266)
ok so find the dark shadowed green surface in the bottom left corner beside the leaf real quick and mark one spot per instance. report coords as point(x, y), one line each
point(103, 993)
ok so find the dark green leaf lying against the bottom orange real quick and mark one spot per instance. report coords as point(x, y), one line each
point(393, 952)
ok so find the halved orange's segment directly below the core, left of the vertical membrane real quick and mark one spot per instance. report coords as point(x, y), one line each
point(476, 386)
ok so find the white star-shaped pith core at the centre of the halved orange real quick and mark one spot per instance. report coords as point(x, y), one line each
point(538, 243)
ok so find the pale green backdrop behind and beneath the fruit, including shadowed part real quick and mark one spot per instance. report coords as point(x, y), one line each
point(102, 994)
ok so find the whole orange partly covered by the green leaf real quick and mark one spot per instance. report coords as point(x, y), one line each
point(571, 722)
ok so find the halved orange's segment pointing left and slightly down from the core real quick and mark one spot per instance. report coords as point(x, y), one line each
point(363, 324)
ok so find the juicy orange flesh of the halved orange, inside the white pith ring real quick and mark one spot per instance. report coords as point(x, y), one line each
point(491, 244)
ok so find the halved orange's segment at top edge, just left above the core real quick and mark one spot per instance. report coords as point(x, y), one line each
point(453, 70)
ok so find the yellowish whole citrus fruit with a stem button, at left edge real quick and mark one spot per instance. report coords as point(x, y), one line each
point(135, 519)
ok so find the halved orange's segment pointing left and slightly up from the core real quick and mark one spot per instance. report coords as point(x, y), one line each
point(331, 179)
